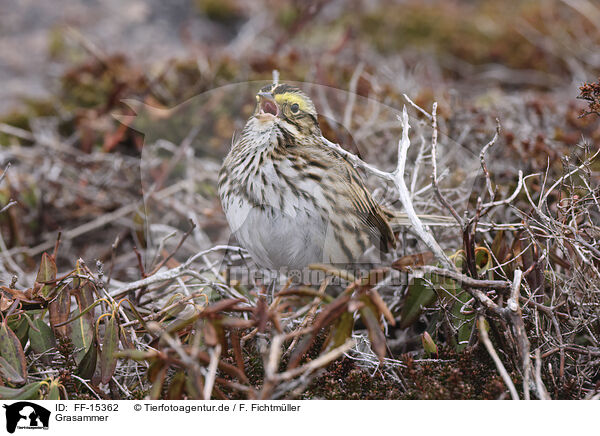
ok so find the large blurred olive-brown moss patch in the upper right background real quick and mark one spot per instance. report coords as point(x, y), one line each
point(475, 33)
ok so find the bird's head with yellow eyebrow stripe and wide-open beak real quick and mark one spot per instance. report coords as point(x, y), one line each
point(287, 105)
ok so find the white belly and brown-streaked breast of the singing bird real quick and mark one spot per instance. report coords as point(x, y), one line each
point(290, 234)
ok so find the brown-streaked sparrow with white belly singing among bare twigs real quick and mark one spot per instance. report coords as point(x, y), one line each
point(289, 198)
